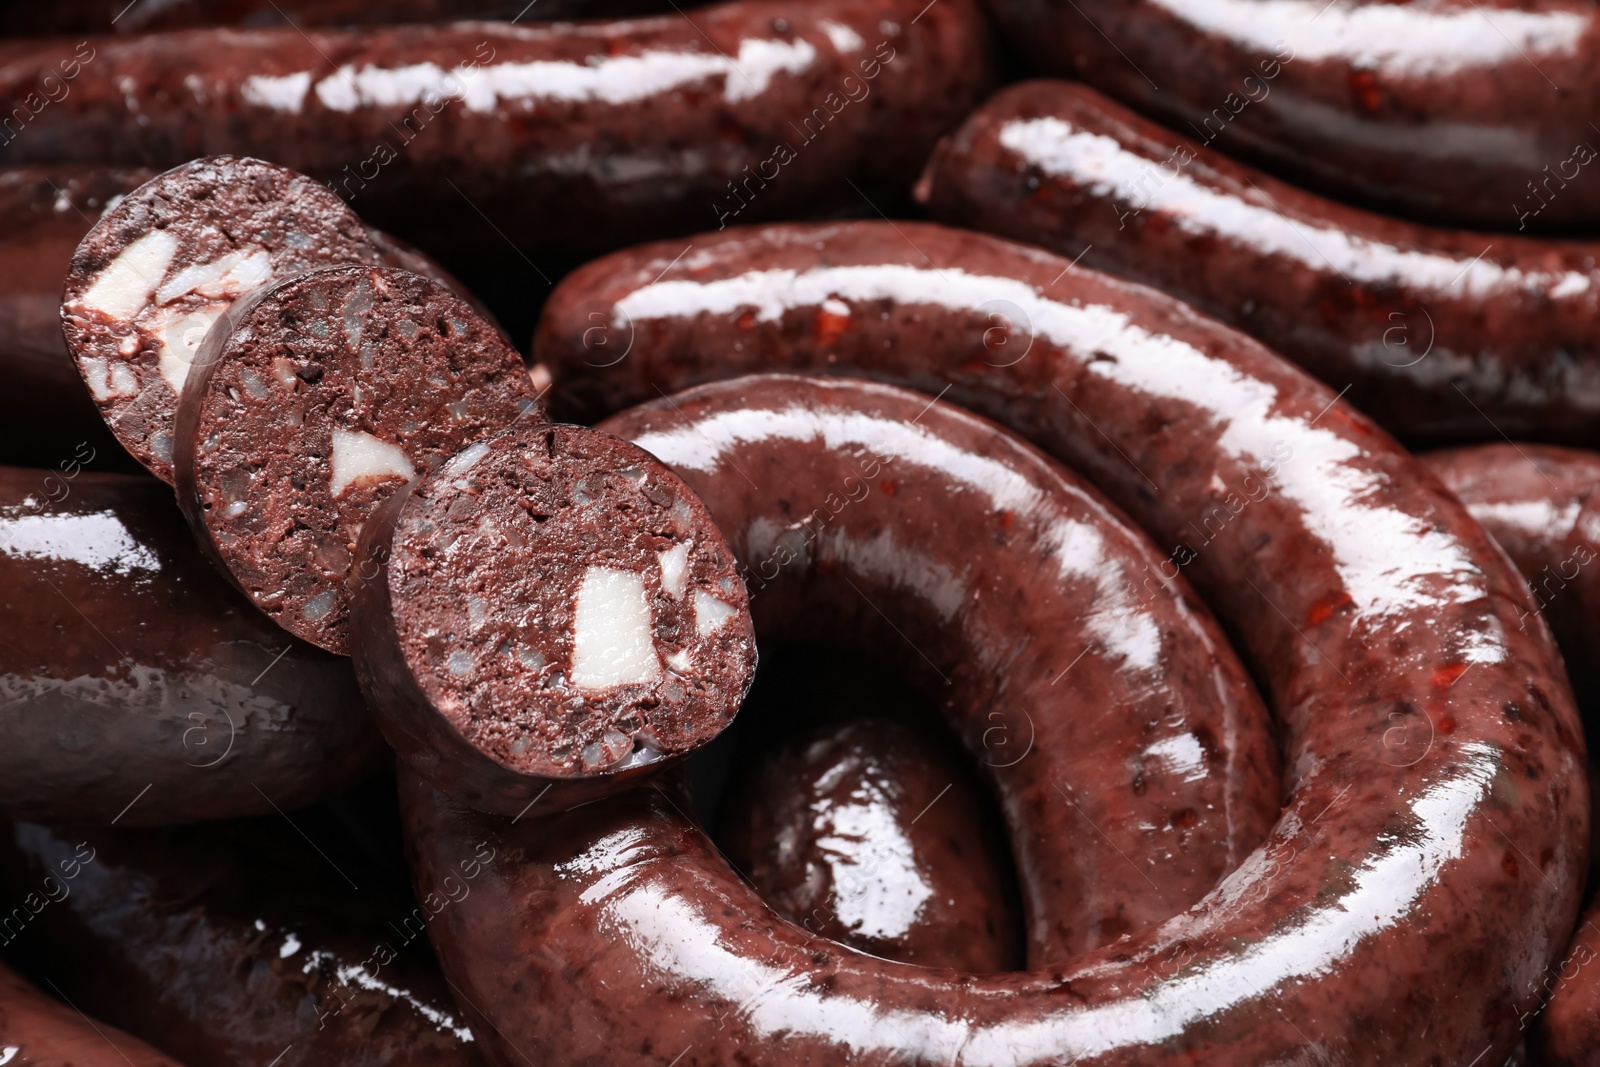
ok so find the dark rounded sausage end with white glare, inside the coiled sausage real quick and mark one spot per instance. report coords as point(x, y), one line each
point(870, 834)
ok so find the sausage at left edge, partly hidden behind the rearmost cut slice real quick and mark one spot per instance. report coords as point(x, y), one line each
point(44, 215)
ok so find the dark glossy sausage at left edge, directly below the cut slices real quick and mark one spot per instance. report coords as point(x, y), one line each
point(138, 687)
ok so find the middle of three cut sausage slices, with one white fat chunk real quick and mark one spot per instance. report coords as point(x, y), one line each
point(311, 402)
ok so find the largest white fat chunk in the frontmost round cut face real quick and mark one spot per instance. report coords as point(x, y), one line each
point(612, 631)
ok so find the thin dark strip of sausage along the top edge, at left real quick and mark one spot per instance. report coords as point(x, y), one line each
point(121, 17)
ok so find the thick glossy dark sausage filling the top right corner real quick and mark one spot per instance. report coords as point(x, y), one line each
point(1454, 111)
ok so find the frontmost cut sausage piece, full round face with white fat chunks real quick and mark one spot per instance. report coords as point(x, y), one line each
point(550, 610)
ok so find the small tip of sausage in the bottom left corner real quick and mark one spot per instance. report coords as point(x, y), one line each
point(41, 1033)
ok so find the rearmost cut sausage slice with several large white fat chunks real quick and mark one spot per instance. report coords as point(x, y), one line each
point(169, 260)
